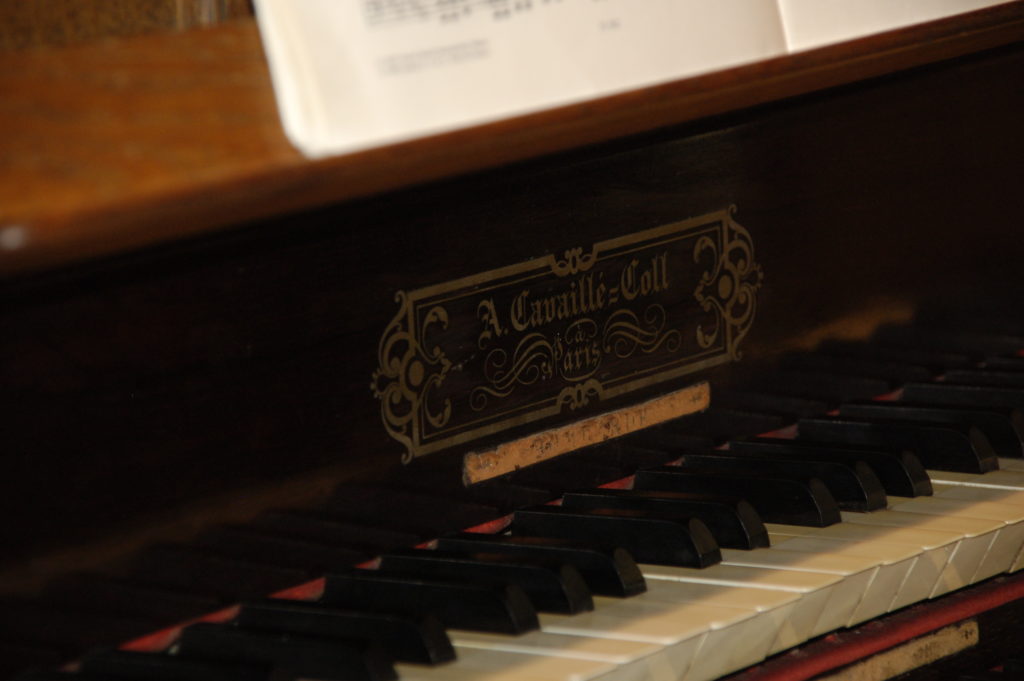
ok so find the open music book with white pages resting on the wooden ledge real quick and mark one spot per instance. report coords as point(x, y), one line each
point(356, 74)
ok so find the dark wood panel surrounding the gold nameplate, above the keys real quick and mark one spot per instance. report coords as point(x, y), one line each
point(146, 381)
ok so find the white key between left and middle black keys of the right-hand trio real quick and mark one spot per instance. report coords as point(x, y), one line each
point(976, 537)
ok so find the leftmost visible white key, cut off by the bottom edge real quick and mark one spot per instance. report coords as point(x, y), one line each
point(476, 665)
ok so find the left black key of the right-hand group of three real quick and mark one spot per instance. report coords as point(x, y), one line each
point(777, 500)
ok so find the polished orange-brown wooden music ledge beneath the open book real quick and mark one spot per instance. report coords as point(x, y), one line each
point(122, 145)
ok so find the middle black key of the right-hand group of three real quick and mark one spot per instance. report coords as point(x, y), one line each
point(855, 487)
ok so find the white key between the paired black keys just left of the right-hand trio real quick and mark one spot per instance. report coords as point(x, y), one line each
point(872, 597)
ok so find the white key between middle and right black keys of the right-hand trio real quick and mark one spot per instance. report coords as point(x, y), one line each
point(1005, 547)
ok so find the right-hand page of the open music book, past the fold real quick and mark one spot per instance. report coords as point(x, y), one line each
point(816, 23)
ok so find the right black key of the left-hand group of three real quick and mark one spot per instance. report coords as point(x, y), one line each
point(607, 572)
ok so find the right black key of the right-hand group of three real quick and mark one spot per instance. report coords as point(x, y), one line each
point(900, 471)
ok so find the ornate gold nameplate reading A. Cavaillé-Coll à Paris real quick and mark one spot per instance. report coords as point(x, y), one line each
point(477, 357)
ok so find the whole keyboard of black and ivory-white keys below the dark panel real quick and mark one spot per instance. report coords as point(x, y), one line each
point(680, 620)
